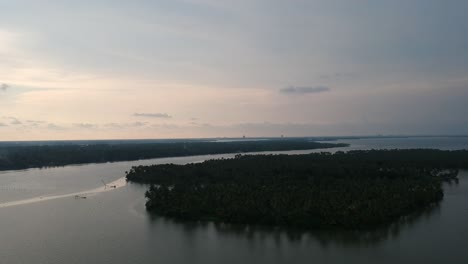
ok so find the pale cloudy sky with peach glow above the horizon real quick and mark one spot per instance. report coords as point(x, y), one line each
point(214, 68)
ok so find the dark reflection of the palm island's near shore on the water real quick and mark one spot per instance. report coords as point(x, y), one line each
point(344, 238)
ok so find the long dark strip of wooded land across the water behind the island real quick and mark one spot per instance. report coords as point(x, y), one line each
point(22, 157)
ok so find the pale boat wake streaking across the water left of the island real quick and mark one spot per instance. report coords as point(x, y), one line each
point(83, 194)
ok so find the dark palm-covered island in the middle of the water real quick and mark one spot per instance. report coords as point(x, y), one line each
point(357, 189)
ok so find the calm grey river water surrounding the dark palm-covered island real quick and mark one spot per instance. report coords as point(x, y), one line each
point(113, 226)
